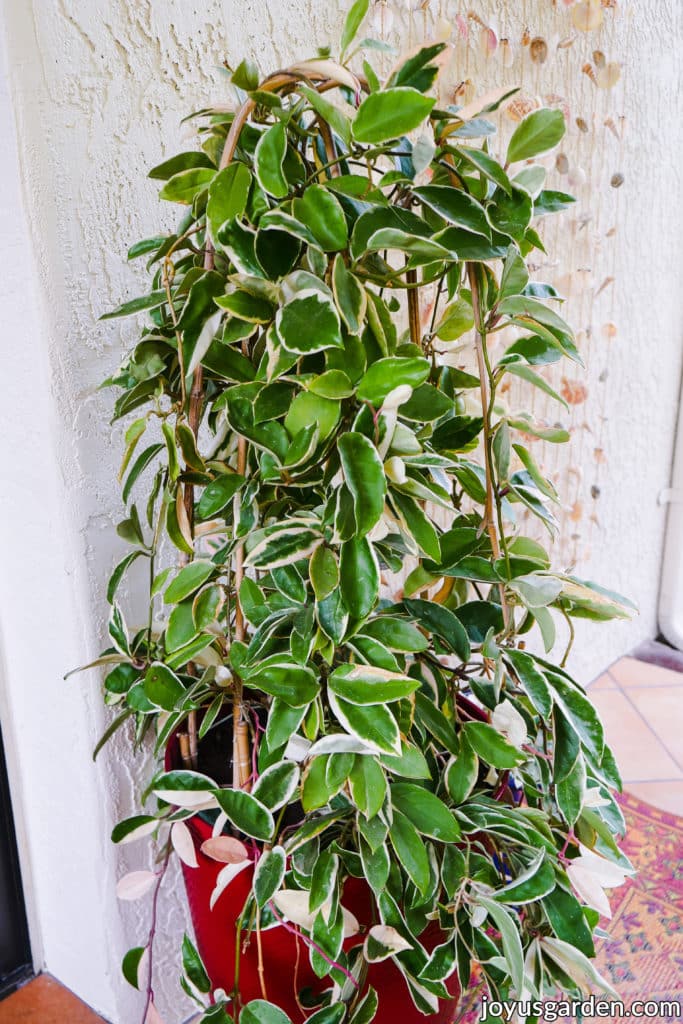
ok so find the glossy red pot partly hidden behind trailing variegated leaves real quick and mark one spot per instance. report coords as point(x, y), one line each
point(285, 956)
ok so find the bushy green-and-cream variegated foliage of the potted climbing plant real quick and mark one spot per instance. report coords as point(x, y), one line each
point(297, 445)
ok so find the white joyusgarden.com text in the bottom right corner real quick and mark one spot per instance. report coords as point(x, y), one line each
point(494, 1011)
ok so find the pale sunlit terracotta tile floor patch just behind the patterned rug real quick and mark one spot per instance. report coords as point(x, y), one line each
point(642, 706)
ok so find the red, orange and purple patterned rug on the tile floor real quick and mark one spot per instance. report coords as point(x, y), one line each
point(644, 957)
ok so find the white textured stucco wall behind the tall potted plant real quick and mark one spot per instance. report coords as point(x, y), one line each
point(99, 89)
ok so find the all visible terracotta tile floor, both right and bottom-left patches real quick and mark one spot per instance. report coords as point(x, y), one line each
point(641, 699)
